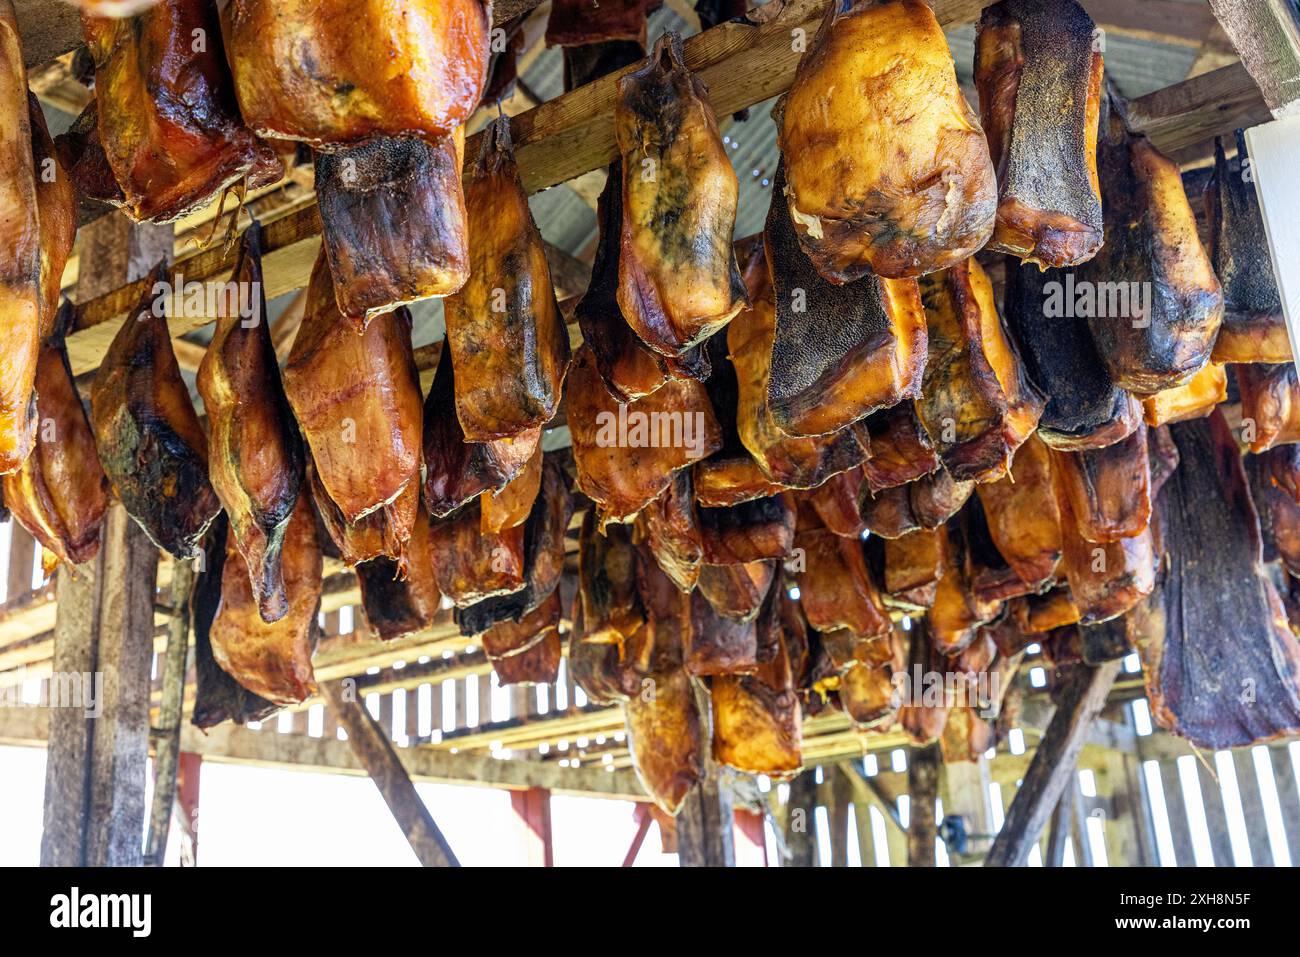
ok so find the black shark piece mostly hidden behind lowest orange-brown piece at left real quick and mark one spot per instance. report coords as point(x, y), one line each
point(218, 696)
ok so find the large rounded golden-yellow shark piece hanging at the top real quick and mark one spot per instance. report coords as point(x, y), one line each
point(895, 179)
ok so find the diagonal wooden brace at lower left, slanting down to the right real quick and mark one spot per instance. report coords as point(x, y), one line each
point(375, 751)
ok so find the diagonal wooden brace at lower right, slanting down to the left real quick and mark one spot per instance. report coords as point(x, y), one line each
point(1054, 764)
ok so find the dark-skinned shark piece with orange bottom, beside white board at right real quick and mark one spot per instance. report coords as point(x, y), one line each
point(1254, 327)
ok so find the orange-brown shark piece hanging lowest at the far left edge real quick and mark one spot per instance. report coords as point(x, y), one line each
point(60, 495)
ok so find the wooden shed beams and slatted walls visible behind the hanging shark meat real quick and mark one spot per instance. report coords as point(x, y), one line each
point(1193, 71)
